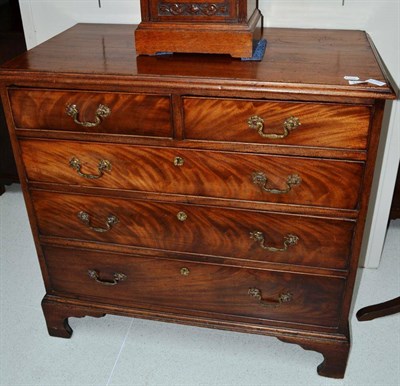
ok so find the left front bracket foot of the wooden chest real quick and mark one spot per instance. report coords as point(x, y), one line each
point(57, 314)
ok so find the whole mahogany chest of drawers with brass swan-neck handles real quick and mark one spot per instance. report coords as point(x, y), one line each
point(199, 189)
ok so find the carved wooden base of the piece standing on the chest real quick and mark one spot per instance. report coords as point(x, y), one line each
point(211, 27)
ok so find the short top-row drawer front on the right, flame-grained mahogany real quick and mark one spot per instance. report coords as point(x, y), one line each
point(321, 125)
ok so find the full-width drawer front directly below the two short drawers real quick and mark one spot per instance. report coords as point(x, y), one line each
point(291, 180)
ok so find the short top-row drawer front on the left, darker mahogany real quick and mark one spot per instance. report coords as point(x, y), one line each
point(130, 114)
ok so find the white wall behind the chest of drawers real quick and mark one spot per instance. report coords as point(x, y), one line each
point(43, 19)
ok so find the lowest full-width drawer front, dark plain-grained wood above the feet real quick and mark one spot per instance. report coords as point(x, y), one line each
point(304, 299)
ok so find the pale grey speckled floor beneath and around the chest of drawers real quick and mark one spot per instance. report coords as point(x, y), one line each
point(122, 351)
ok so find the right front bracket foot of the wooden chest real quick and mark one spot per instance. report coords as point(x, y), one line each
point(335, 355)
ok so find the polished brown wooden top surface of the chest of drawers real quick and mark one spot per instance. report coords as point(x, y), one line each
point(315, 60)
